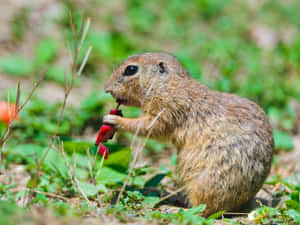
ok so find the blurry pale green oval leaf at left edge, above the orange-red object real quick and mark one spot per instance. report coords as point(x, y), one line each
point(16, 65)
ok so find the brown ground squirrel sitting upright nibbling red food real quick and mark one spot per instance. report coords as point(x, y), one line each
point(225, 142)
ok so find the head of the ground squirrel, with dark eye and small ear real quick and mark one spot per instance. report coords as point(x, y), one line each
point(144, 76)
